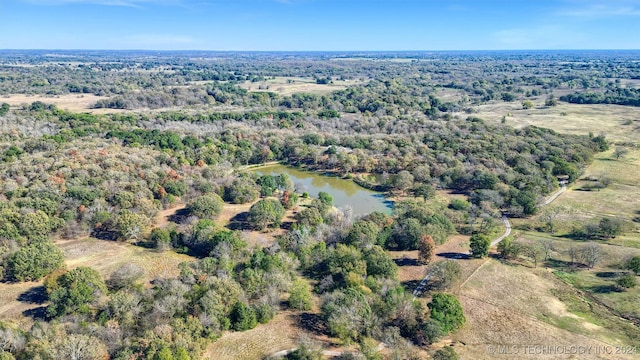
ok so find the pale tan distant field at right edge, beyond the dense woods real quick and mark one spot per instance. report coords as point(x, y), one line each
point(566, 118)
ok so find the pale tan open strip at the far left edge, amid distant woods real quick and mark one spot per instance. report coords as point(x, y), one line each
point(69, 102)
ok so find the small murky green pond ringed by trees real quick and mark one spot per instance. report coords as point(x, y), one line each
point(345, 192)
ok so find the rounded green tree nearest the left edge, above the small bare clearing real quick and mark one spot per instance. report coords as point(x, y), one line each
point(35, 261)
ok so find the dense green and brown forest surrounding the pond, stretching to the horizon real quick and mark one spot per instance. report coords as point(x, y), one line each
point(191, 126)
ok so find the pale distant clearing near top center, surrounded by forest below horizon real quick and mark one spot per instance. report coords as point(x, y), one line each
point(288, 86)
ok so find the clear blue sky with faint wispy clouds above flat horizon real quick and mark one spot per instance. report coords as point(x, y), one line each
point(305, 25)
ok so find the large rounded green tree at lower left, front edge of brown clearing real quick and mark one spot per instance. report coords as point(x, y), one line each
point(75, 291)
